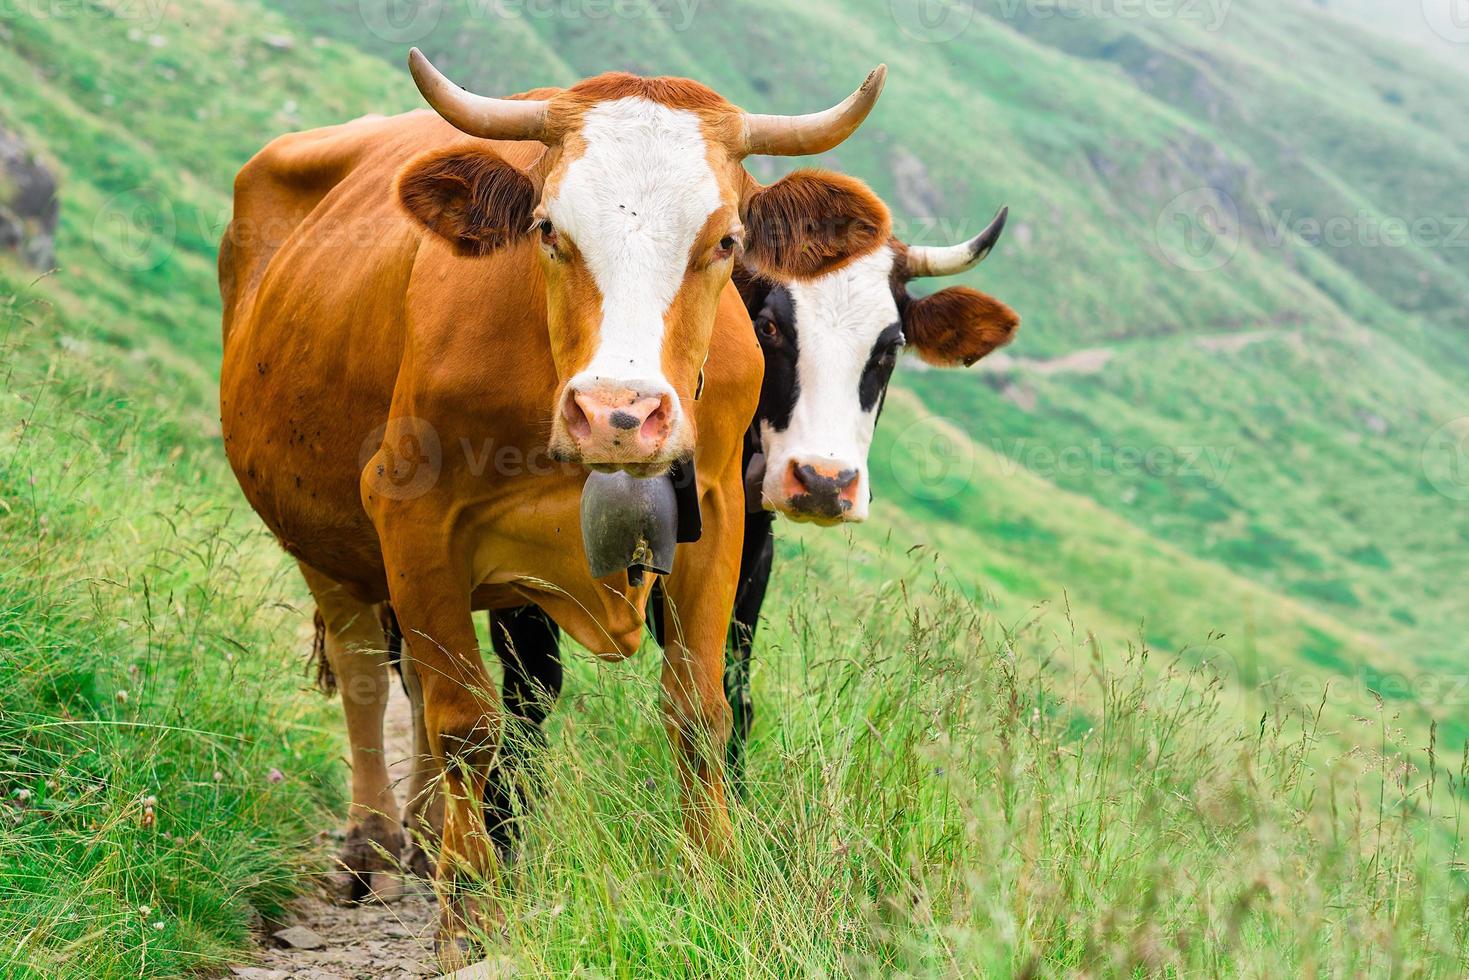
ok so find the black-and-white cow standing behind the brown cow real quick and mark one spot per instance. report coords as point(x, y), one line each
point(831, 349)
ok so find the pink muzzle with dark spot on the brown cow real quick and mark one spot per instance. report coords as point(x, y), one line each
point(621, 427)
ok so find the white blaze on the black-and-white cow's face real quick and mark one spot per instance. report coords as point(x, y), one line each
point(840, 318)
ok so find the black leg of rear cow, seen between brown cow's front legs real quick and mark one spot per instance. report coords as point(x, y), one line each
point(527, 643)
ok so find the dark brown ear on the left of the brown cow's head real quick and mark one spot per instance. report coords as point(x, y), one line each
point(472, 199)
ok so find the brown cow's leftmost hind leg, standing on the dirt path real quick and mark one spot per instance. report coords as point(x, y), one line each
point(356, 650)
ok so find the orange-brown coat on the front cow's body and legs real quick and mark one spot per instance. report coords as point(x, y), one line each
point(409, 330)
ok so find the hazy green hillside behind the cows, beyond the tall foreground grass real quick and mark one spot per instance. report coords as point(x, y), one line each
point(1268, 400)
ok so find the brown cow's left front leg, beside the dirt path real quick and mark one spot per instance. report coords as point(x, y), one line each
point(462, 719)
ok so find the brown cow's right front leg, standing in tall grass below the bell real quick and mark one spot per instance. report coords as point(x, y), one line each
point(700, 597)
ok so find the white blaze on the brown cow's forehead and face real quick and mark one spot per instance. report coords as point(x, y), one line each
point(634, 203)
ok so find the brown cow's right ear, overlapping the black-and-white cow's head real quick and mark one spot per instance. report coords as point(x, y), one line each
point(812, 223)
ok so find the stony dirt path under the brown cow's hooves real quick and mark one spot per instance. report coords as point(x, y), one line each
point(380, 943)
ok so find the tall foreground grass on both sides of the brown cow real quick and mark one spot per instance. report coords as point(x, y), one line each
point(934, 793)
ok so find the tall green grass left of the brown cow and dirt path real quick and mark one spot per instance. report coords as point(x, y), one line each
point(161, 784)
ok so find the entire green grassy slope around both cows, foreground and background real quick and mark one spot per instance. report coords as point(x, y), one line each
point(1136, 666)
